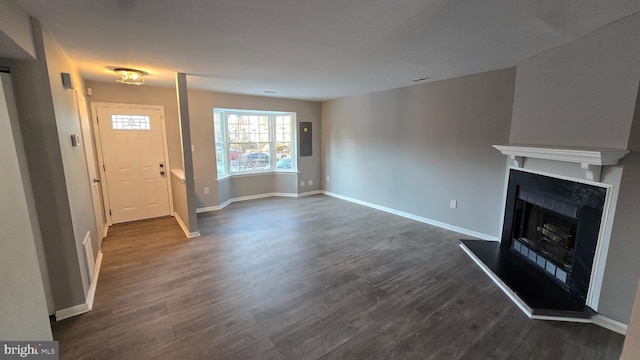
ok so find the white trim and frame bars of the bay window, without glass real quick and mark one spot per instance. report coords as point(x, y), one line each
point(272, 144)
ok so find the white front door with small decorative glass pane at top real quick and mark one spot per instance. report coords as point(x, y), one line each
point(135, 162)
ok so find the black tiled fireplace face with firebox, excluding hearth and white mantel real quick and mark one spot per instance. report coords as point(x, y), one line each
point(552, 224)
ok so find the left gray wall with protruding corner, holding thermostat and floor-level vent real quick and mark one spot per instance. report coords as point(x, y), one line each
point(48, 116)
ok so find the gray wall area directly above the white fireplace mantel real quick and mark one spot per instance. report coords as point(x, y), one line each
point(582, 93)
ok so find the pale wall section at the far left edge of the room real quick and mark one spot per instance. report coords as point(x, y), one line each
point(23, 305)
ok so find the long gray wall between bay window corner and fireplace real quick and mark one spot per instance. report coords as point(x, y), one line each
point(414, 149)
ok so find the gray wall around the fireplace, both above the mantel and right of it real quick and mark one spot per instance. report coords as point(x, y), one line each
point(584, 94)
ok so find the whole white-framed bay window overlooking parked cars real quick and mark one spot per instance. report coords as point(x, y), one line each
point(250, 141)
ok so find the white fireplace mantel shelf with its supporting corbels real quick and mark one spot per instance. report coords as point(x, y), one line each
point(591, 160)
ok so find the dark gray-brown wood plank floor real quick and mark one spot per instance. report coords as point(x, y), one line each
point(307, 278)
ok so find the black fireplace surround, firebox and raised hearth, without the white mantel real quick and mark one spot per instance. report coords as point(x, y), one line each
point(548, 243)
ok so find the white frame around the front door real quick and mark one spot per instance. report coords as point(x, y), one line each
point(96, 128)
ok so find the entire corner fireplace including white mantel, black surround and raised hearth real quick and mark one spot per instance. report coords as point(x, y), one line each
point(551, 253)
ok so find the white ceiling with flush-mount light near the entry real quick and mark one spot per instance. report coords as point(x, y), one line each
point(313, 49)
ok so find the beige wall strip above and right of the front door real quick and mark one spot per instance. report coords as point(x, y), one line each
point(145, 95)
